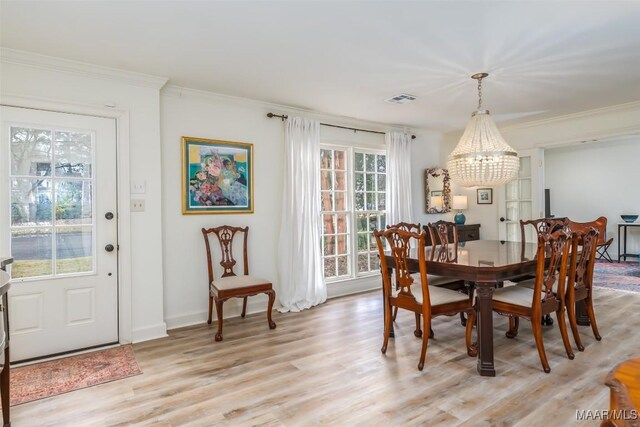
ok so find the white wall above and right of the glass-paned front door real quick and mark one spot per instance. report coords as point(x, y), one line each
point(43, 82)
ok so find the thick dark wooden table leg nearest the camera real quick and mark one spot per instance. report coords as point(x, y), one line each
point(485, 329)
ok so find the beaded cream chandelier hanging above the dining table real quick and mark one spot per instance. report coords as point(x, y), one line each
point(482, 157)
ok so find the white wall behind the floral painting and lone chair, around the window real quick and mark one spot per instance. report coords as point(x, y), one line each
point(187, 112)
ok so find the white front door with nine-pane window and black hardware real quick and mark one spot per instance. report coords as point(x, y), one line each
point(59, 222)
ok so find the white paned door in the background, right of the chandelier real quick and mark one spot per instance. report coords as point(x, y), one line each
point(521, 198)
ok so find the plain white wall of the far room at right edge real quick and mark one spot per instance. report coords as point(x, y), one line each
point(597, 179)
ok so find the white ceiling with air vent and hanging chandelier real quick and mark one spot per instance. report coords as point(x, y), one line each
point(345, 57)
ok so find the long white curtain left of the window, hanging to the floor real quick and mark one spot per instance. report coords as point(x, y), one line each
point(300, 261)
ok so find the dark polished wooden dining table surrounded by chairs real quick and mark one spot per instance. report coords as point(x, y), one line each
point(487, 263)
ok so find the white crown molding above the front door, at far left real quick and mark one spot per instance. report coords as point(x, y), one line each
point(30, 59)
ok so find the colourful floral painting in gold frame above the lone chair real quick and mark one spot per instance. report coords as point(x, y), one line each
point(217, 176)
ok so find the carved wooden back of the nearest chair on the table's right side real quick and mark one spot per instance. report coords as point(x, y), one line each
point(554, 246)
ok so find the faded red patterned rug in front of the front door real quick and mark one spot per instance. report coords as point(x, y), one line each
point(45, 379)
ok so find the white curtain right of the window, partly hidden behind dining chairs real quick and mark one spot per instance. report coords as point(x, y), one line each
point(399, 206)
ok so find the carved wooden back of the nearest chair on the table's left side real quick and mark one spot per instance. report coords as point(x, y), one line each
point(399, 244)
